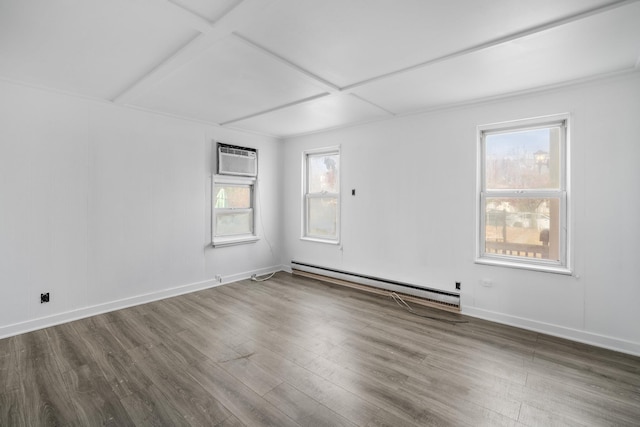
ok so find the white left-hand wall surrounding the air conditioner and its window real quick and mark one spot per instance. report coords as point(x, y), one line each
point(105, 207)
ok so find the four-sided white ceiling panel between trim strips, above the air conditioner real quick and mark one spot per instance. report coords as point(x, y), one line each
point(228, 81)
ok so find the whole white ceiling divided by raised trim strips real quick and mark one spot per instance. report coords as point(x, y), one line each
point(288, 67)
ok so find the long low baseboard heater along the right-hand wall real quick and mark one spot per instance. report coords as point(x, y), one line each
point(449, 301)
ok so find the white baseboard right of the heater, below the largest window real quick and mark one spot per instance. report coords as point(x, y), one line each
point(611, 343)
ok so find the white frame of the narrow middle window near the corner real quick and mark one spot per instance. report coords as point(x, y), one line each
point(307, 196)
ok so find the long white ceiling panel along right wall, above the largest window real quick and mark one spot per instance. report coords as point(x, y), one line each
point(598, 45)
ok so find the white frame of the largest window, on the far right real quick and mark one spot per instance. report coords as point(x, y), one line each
point(562, 193)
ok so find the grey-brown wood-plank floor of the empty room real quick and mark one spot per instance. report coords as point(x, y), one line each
point(294, 351)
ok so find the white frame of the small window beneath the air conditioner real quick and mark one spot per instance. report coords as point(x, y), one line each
point(236, 239)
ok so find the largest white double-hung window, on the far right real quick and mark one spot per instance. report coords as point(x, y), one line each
point(523, 181)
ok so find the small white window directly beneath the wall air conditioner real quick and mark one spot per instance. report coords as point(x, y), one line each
point(233, 210)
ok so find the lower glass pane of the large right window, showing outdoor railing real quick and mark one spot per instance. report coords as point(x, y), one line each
point(523, 227)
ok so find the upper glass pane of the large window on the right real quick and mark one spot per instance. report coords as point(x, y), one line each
point(527, 159)
